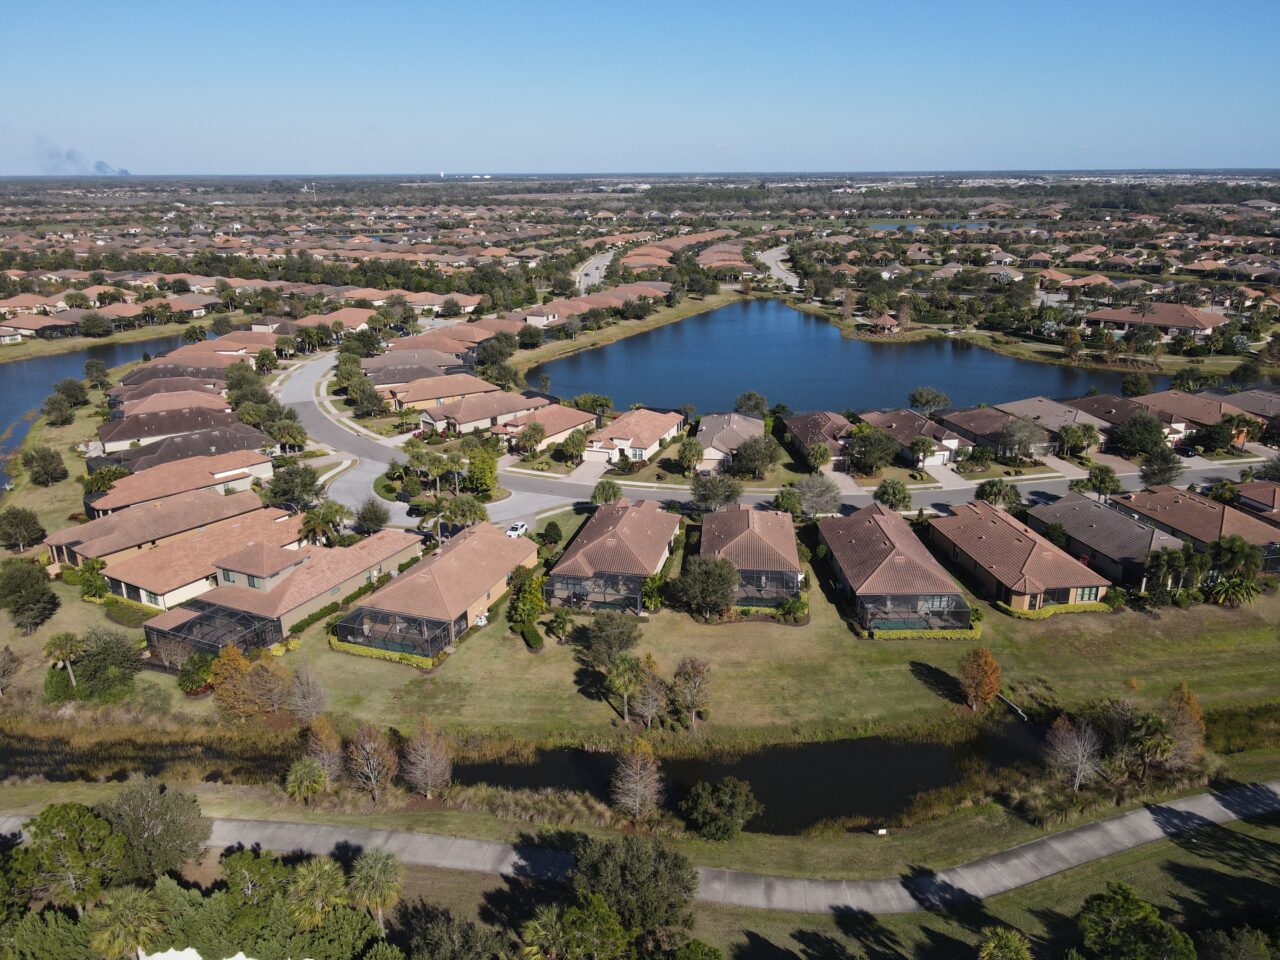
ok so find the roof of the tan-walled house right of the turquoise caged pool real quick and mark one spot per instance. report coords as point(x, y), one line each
point(1013, 554)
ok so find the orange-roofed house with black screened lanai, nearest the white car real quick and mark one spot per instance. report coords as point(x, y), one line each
point(428, 609)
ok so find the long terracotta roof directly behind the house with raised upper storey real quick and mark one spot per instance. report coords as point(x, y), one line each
point(181, 563)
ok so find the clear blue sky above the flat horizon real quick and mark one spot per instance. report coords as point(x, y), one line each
point(547, 86)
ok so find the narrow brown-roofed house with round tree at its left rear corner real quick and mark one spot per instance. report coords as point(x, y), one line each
point(762, 547)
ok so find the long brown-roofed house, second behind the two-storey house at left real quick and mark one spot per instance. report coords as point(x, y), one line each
point(147, 525)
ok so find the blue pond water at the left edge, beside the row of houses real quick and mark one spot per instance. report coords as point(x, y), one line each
point(26, 383)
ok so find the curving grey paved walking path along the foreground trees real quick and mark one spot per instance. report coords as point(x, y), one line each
point(921, 892)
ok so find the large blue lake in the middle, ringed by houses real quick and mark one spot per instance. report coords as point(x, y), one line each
point(803, 362)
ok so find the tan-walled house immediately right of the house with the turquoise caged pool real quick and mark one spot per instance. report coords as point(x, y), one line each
point(1012, 563)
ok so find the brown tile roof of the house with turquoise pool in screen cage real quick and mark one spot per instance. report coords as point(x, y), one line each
point(879, 555)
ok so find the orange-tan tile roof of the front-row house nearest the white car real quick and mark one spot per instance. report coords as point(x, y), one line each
point(452, 580)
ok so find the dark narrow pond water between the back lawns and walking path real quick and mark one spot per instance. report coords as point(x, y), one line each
point(799, 785)
